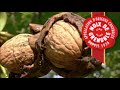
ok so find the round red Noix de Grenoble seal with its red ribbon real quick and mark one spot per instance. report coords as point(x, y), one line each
point(99, 33)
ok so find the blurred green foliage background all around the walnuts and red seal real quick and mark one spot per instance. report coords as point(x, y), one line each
point(13, 23)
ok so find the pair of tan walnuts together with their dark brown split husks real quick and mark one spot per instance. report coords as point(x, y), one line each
point(57, 45)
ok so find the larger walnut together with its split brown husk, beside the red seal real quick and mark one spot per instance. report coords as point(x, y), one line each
point(60, 43)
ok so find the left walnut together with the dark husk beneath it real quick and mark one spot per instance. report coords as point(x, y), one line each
point(19, 58)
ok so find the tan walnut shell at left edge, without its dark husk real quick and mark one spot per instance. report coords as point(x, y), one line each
point(16, 52)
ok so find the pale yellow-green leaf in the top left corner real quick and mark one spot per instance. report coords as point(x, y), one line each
point(3, 19)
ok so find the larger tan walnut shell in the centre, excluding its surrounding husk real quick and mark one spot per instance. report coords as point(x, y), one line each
point(63, 45)
